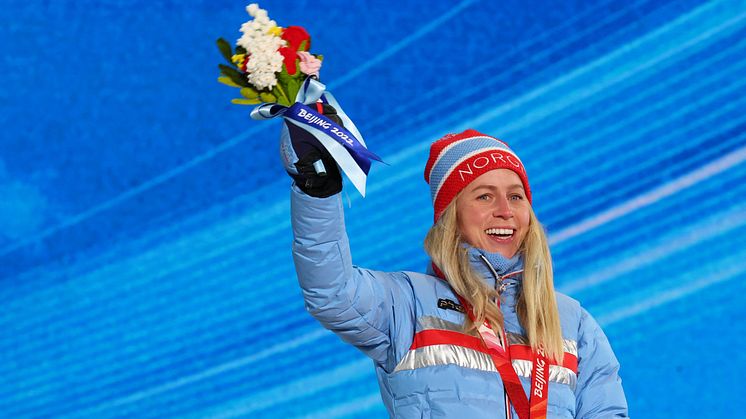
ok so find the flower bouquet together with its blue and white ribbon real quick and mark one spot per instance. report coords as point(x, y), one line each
point(275, 71)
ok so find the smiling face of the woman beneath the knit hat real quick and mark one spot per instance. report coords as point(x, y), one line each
point(493, 212)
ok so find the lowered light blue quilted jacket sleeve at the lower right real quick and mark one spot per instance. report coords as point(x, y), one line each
point(599, 392)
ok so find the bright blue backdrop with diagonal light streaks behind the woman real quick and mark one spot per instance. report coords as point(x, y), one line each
point(145, 264)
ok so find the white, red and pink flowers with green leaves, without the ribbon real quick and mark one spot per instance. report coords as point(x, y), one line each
point(269, 63)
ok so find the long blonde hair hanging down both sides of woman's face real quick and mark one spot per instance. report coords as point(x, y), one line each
point(537, 304)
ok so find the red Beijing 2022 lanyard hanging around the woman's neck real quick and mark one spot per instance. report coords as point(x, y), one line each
point(499, 351)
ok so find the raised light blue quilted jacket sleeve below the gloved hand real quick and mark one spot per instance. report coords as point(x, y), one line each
point(361, 306)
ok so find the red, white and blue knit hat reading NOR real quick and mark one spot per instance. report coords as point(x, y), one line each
point(457, 159)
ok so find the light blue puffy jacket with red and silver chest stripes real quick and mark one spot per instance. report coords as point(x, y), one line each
point(389, 316)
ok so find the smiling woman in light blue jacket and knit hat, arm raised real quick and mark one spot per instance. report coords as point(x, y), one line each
point(484, 331)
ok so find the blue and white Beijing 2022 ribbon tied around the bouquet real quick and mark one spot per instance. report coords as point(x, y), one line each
point(345, 144)
